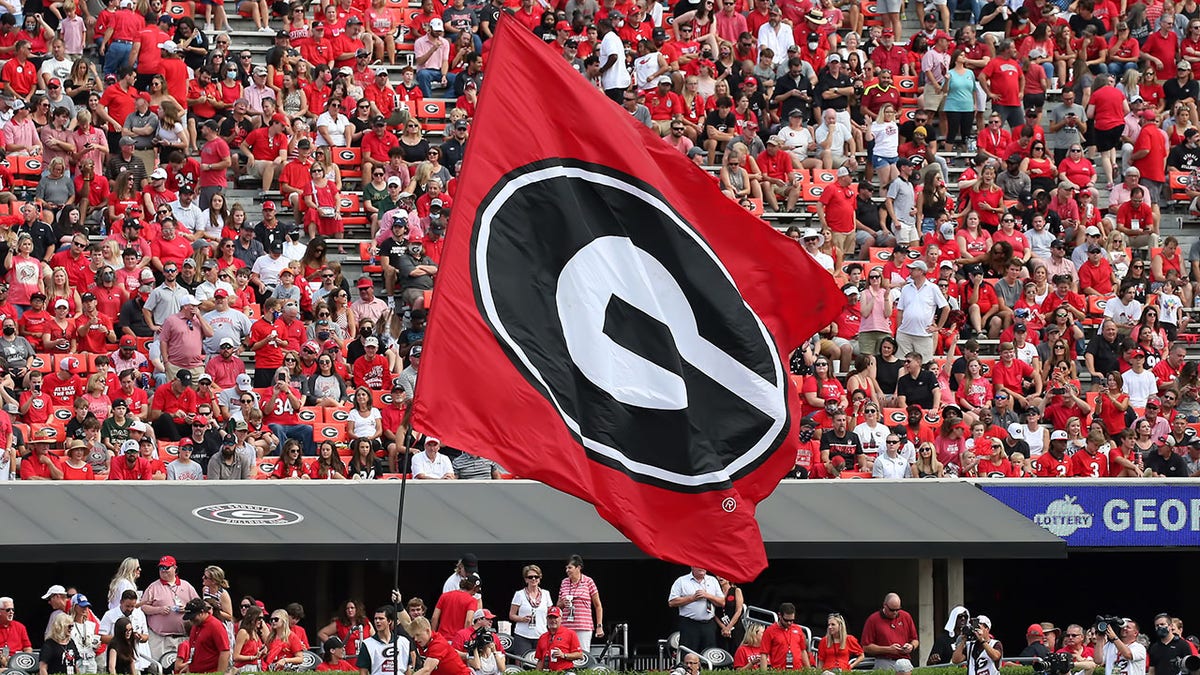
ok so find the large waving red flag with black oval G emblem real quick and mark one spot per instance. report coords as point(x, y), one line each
point(609, 324)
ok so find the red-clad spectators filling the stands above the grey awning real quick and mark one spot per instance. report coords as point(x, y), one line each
point(1011, 184)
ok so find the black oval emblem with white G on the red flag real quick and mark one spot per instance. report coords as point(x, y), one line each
point(616, 309)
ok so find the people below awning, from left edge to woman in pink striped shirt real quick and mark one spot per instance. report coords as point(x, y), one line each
point(171, 626)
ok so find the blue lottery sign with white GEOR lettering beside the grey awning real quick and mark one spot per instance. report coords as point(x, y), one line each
point(1121, 515)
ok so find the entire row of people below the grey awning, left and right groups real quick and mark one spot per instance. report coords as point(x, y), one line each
point(171, 626)
